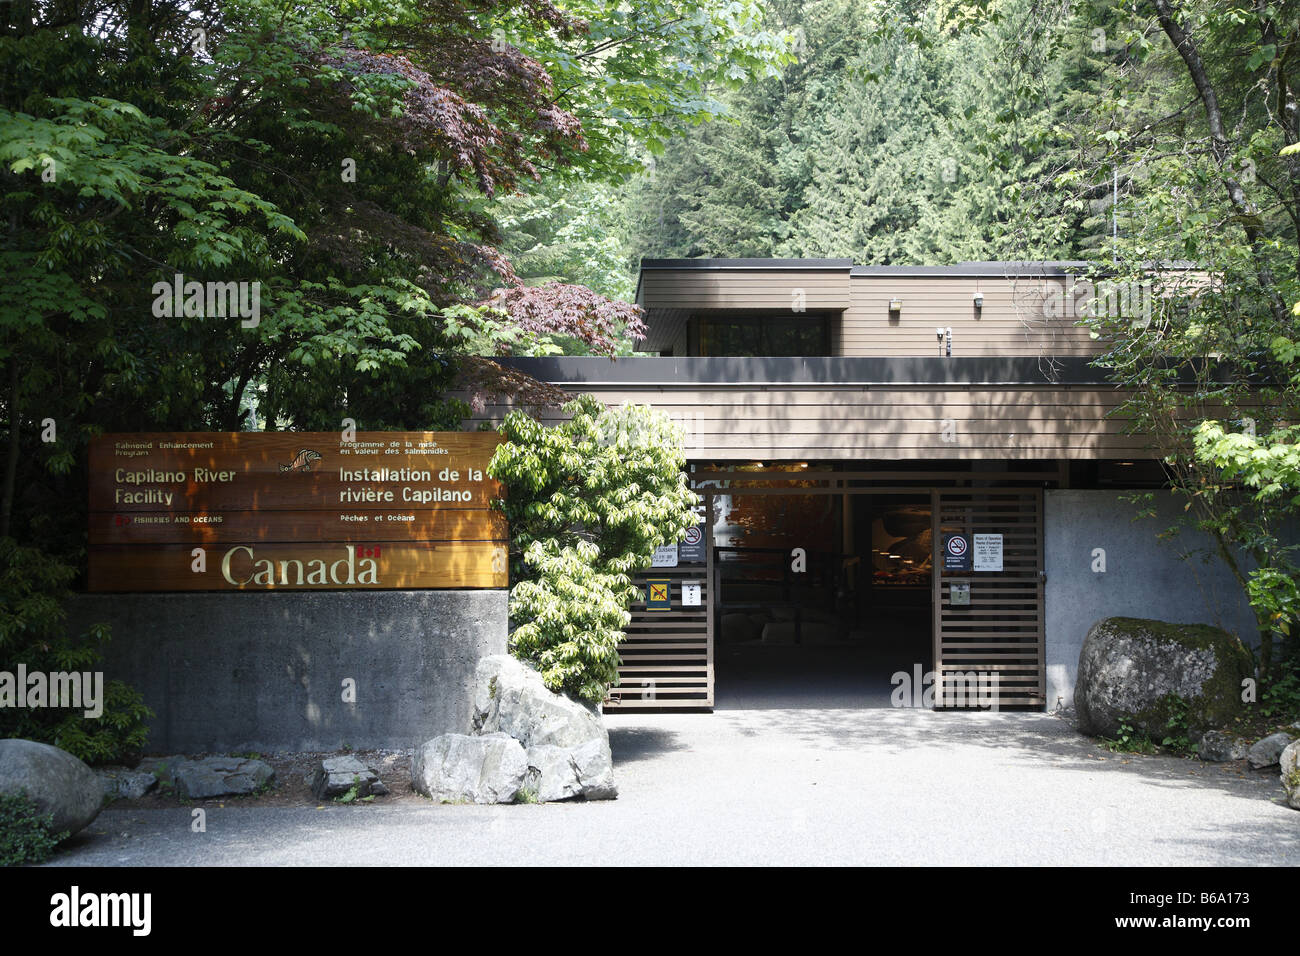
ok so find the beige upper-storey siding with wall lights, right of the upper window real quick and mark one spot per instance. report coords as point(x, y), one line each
point(1013, 322)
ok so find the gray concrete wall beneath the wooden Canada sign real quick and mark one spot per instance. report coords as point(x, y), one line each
point(265, 672)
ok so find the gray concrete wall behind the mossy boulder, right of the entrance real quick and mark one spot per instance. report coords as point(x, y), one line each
point(1145, 577)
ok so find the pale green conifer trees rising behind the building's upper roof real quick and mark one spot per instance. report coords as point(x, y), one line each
point(902, 135)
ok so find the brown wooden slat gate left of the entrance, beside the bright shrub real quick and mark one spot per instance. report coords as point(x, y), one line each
point(669, 656)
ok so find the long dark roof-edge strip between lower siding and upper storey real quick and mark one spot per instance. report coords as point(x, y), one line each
point(843, 373)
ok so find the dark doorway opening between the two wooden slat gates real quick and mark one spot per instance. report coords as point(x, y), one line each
point(821, 599)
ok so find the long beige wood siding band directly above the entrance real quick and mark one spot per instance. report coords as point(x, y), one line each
point(738, 423)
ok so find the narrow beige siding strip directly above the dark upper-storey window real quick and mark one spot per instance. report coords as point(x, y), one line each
point(699, 289)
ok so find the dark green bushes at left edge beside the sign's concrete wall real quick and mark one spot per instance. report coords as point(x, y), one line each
point(34, 587)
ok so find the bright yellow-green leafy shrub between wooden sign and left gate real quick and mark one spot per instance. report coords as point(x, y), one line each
point(588, 501)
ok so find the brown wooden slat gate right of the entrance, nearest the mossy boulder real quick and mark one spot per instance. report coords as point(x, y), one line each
point(991, 651)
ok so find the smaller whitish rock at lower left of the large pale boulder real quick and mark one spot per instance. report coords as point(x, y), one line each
point(456, 768)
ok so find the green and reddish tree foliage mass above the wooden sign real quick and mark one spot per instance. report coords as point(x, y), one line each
point(359, 163)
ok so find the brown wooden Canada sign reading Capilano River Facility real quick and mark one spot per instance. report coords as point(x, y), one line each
point(294, 511)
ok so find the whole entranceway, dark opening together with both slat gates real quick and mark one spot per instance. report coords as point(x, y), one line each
point(835, 589)
